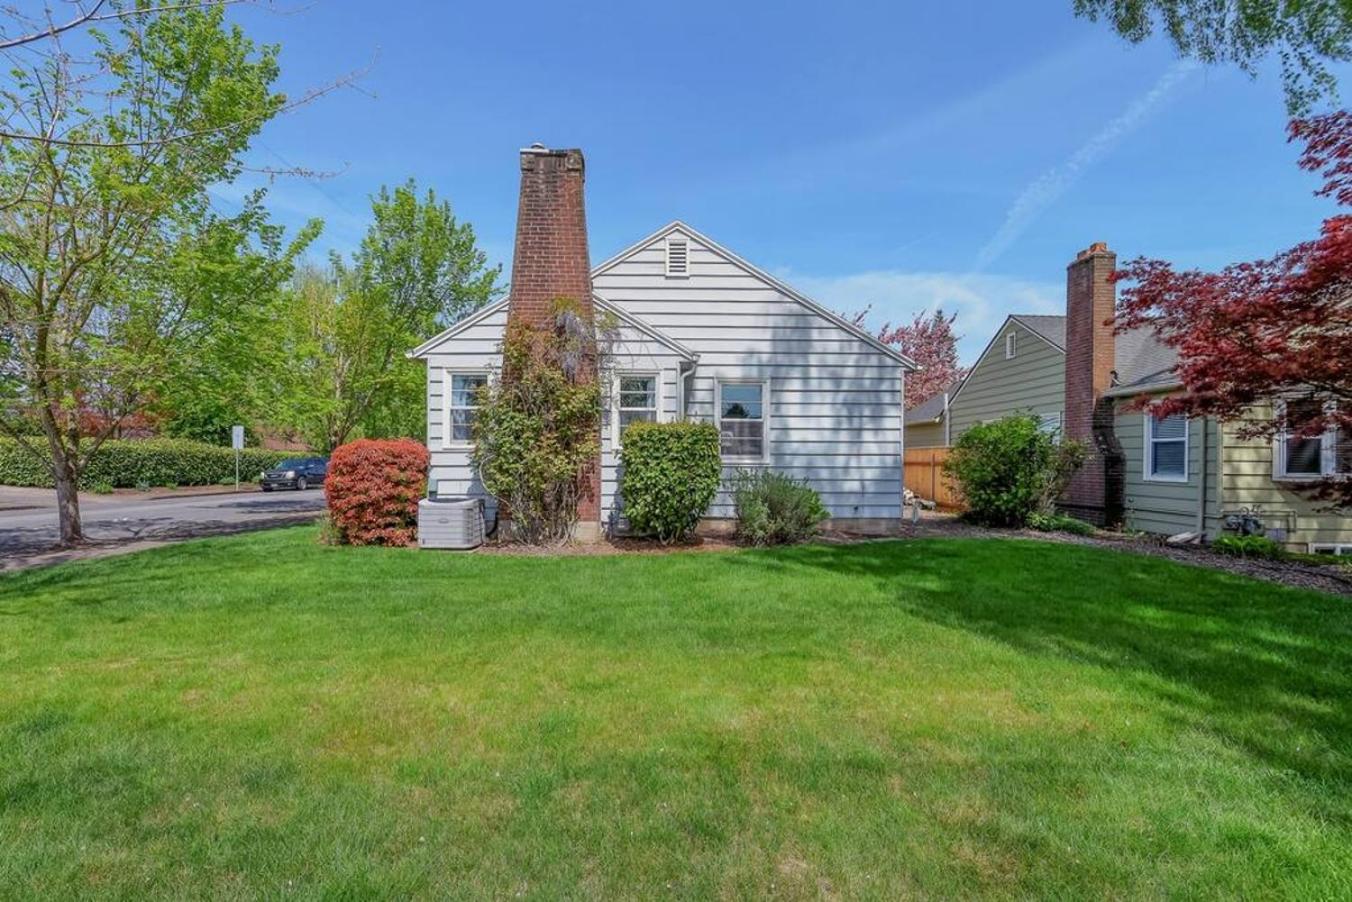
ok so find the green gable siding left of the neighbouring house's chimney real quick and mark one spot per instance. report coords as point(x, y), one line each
point(1035, 381)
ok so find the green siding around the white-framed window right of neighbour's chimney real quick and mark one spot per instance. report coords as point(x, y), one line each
point(1169, 508)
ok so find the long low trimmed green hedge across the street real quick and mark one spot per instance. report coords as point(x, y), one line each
point(148, 462)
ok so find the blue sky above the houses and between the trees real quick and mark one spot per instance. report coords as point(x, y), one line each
point(897, 155)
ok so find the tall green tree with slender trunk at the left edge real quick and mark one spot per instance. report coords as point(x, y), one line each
point(114, 267)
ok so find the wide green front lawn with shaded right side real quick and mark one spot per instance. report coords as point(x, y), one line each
point(264, 716)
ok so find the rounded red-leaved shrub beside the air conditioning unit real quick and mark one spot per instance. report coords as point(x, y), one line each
point(374, 489)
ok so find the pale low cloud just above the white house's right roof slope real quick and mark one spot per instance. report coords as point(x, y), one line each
point(981, 301)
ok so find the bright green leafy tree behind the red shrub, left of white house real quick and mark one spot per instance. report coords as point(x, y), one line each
point(418, 271)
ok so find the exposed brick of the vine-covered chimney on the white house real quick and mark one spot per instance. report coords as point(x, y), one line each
point(551, 263)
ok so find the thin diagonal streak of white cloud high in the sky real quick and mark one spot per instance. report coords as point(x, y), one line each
point(1048, 187)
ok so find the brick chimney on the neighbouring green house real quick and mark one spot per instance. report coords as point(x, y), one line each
point(1090, 304)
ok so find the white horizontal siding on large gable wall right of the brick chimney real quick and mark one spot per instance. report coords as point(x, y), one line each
point(835, 401)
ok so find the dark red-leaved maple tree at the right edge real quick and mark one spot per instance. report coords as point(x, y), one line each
point(1277, 329)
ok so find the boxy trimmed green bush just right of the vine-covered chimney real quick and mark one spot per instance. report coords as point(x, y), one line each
point(671, 475)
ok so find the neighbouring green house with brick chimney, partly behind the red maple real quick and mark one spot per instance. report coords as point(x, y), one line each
point(1169, 477)
